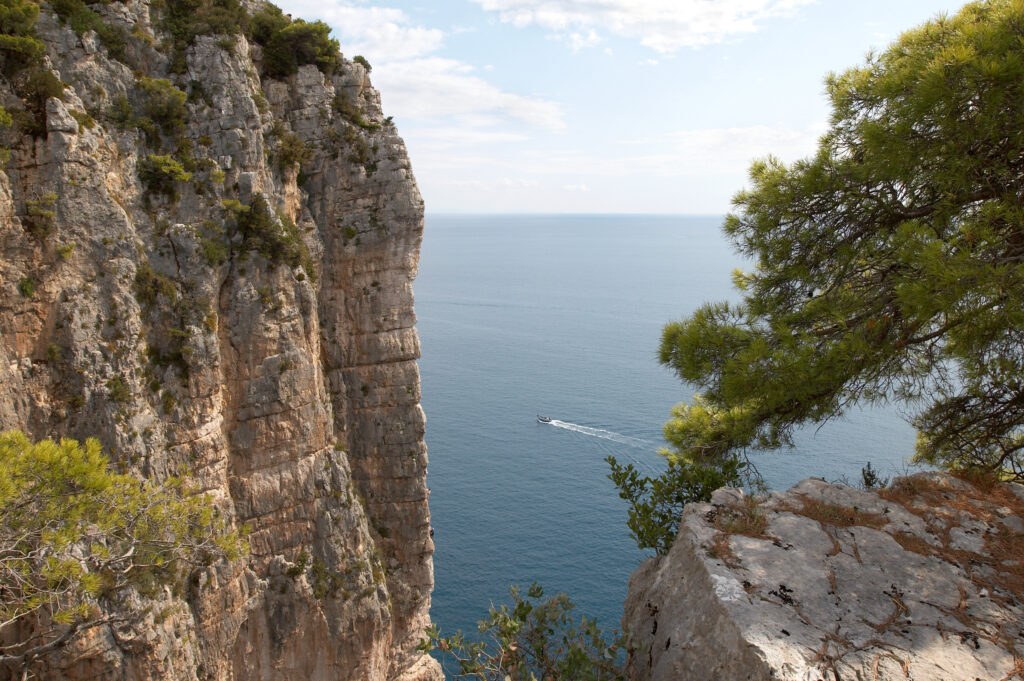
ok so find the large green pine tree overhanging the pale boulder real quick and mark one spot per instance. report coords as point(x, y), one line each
point(888, 267)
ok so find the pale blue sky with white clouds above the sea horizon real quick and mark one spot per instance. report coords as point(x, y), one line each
point(606, 106)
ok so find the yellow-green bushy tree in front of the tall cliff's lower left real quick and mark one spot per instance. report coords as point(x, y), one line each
point(74, 537)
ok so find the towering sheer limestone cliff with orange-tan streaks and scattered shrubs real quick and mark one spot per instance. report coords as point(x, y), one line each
point(274, 361)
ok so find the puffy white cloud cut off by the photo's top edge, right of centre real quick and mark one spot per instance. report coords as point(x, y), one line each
point(665, 26)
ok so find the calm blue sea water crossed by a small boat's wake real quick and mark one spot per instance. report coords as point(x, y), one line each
point(562, 316)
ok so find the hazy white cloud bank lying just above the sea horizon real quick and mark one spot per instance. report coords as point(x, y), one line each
point(694, 172)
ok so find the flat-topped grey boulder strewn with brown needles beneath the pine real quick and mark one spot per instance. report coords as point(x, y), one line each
point(922, 581)
